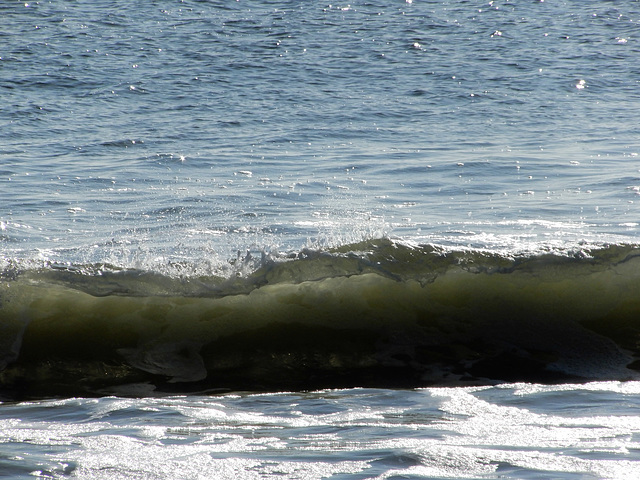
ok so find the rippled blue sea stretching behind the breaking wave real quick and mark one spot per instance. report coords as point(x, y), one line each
point(263, 124)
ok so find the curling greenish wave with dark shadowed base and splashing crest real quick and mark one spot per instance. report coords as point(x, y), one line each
point(378, 313)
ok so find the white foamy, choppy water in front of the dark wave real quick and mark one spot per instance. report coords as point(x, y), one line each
point(511, 431)
